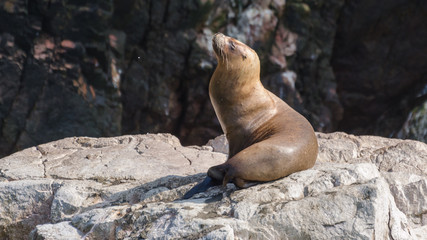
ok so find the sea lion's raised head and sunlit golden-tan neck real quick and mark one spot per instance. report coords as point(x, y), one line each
point(236, 80)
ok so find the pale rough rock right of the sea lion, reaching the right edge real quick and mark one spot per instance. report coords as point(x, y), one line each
point(403, 163)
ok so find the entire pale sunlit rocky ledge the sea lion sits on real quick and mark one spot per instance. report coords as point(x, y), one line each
point(129, 187)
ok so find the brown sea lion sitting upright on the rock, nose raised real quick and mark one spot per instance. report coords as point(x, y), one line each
point(267, 139)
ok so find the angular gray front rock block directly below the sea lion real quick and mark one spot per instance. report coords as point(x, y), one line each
point(310, 204)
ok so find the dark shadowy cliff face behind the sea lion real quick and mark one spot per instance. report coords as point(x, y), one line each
point(104, 68)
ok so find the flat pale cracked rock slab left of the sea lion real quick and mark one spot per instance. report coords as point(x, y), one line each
point(109, 159)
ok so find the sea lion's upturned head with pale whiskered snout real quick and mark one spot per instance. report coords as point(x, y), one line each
point(233, 54)
